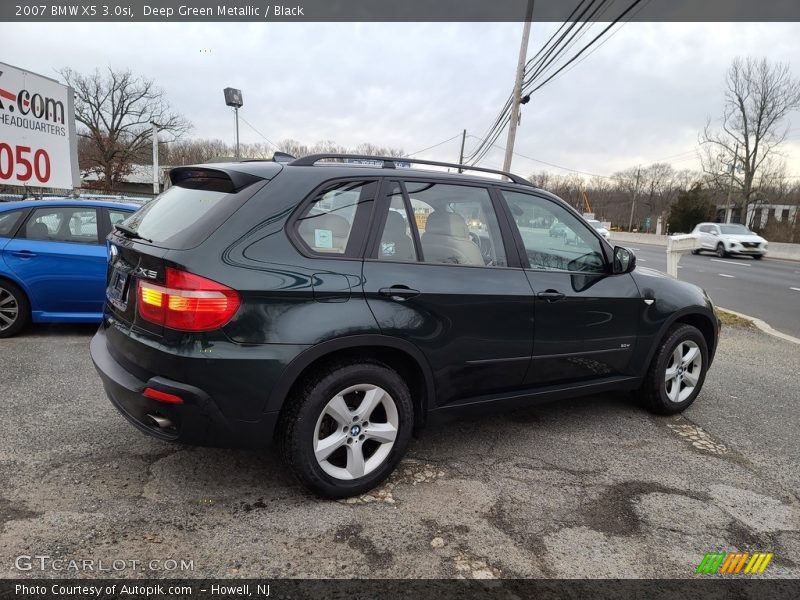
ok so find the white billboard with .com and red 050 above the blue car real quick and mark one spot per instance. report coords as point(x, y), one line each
point(38, 145)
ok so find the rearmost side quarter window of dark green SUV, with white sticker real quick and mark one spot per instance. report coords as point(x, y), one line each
point(326, 225)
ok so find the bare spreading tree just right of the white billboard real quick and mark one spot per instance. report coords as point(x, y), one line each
point(116, 110)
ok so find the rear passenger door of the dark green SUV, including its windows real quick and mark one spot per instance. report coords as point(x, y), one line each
point(438, 275)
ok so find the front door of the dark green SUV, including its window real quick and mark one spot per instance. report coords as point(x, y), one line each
point(586, 318)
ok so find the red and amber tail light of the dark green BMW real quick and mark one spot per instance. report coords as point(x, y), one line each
point(187, 302)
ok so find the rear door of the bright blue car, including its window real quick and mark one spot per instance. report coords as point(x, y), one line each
point(59, 256)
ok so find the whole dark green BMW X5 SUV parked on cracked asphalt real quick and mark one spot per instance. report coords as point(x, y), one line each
point(337, 307)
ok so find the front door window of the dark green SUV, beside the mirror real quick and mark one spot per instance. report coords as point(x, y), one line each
point(576, 248)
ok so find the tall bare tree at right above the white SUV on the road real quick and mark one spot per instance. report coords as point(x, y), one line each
point(758, 98)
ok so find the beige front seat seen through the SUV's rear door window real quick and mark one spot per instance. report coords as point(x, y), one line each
point(446, 240)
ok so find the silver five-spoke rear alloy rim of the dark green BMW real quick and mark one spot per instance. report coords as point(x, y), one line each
point(356, 431)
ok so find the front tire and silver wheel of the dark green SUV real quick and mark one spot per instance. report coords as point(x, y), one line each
point(667, 394)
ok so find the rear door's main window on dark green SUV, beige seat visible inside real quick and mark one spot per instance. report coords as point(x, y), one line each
point(457, 224)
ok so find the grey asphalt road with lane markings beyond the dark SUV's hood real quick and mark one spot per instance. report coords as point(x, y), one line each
point(767, 289)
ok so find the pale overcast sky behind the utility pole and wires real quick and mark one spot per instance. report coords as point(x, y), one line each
point(642, 97)
